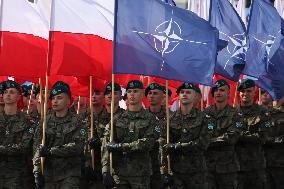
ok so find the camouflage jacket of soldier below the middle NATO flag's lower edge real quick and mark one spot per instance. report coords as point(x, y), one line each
point(221, 156)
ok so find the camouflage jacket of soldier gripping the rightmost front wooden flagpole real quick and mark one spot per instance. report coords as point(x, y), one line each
point(192, 132)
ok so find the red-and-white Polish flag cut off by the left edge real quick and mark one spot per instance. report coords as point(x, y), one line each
point(24, 39)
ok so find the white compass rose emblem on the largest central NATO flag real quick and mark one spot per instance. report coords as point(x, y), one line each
point(167, 36)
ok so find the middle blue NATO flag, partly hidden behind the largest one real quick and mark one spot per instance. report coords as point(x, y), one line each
point(230, 60)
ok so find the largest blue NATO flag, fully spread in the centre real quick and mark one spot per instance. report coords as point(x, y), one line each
point(156, 39)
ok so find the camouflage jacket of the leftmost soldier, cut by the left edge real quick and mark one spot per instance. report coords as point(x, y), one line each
point(16, 136)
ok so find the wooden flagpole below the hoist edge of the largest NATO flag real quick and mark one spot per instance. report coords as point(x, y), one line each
point(111, 122)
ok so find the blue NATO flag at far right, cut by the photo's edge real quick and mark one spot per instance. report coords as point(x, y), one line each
point(265, 53)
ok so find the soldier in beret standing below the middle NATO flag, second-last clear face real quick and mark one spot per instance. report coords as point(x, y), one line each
point(221, 159)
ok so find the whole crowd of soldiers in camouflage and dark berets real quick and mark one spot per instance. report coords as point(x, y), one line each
point(222, 147)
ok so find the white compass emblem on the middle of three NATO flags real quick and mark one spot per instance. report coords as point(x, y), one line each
point(237, 47)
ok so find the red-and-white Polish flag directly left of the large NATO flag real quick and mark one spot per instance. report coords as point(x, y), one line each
point(81, 38)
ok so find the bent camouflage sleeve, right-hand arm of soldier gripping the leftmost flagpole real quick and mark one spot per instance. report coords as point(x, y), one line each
point(74, 147)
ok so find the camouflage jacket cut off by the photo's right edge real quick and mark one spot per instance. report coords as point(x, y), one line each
point(274, 146)
